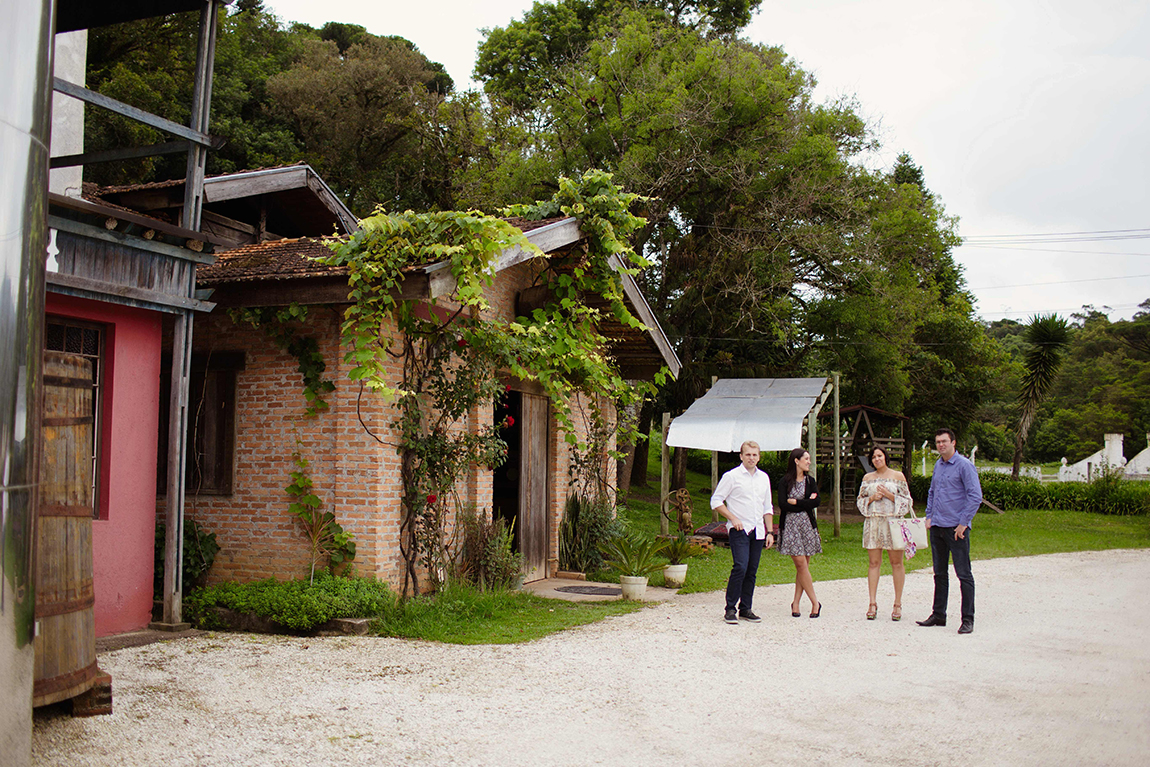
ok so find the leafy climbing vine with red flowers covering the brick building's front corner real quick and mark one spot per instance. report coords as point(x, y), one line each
point(453, 355)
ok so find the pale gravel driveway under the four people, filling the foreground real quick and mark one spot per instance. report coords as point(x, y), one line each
point(1056, 673)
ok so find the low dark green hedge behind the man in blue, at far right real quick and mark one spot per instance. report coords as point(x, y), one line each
point(1109, 495)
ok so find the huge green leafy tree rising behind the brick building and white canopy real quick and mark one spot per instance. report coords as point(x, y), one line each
point(776, 251)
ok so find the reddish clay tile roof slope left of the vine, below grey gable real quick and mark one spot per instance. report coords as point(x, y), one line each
point(278, 259)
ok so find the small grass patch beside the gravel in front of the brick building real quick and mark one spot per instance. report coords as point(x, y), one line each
point(464, 616)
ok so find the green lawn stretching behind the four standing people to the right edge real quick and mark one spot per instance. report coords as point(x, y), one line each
point(1016, 534)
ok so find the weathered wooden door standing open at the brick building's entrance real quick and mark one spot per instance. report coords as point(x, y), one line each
point(533, 487)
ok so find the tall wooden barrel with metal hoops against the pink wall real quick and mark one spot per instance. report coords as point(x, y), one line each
point(65, 597)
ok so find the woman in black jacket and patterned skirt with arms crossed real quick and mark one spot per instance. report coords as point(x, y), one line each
point(799, 534)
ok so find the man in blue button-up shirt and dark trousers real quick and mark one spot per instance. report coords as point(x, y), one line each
point(954, 500)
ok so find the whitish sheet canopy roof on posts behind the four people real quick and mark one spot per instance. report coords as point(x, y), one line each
point(768, 411)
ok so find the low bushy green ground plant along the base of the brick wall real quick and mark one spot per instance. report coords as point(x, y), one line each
point(296, 605)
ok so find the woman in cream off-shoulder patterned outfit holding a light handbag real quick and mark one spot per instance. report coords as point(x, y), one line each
point(883, 497)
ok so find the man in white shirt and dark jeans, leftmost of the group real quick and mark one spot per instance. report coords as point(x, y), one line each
point(743, 497)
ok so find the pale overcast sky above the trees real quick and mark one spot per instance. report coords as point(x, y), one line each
point(1031, 120)
